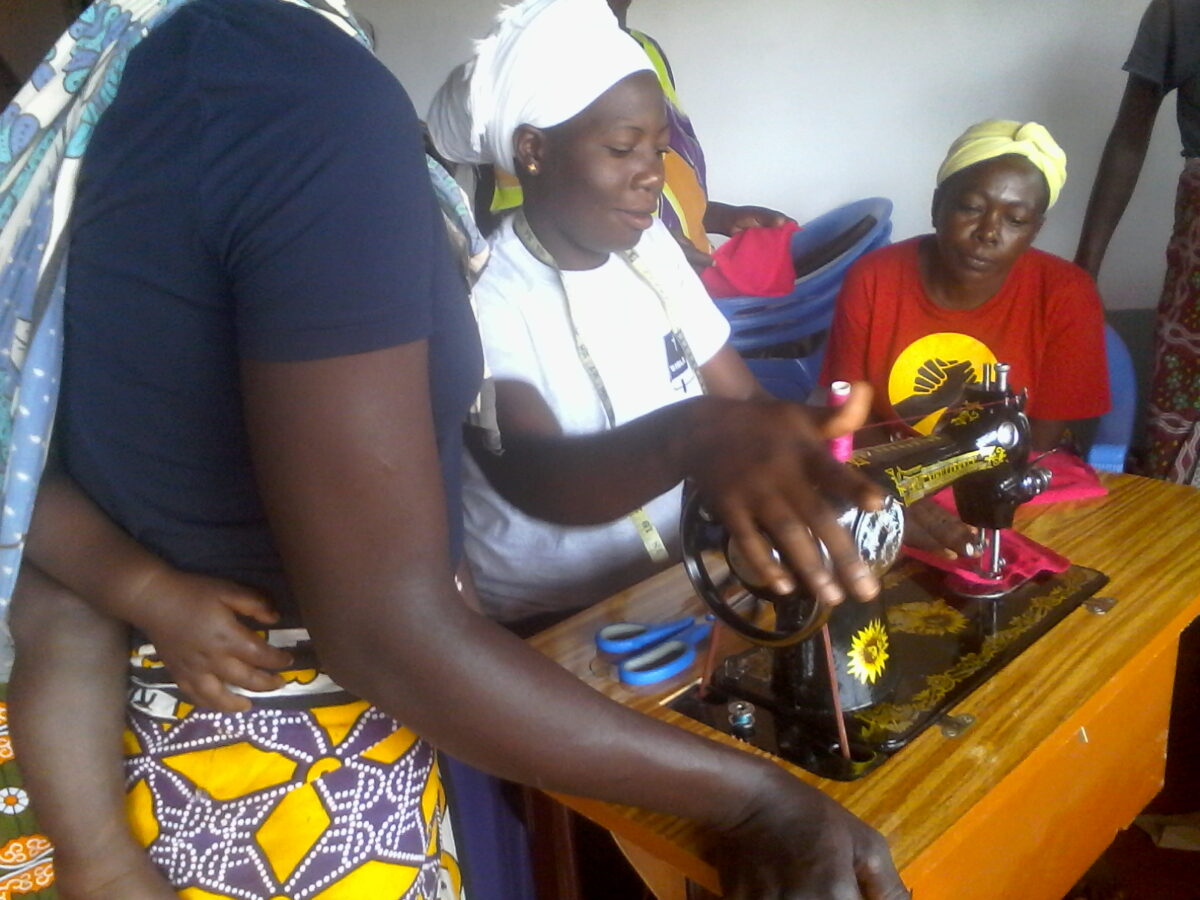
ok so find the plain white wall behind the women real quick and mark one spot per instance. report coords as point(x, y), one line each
point(803, 105)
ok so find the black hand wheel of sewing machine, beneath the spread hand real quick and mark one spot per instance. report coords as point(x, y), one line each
point(703, 535)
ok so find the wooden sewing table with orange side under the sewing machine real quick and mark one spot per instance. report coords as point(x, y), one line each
point(1070, 742)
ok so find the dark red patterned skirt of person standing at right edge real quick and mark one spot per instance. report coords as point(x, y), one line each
point(1173, 427)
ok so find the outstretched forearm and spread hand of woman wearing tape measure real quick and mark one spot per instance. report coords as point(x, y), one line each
point(761, 465)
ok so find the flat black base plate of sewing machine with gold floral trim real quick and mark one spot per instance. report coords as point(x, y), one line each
point(944, 646)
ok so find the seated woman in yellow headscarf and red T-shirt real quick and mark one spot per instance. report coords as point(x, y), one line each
point(920, 319)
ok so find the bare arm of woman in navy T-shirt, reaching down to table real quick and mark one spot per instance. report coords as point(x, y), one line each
point(349, 469)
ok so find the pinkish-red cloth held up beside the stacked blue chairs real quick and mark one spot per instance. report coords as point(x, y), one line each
point(757, 262)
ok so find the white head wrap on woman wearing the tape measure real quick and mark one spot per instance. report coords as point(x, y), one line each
point(545, 62)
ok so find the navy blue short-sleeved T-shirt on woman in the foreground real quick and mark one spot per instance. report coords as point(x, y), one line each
point(256, 191)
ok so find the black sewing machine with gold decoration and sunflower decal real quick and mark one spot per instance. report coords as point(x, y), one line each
point(839, 693)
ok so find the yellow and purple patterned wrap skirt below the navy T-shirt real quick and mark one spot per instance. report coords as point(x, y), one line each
point(321, 799)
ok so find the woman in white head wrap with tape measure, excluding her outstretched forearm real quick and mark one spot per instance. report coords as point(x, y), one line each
point(591, 316)
